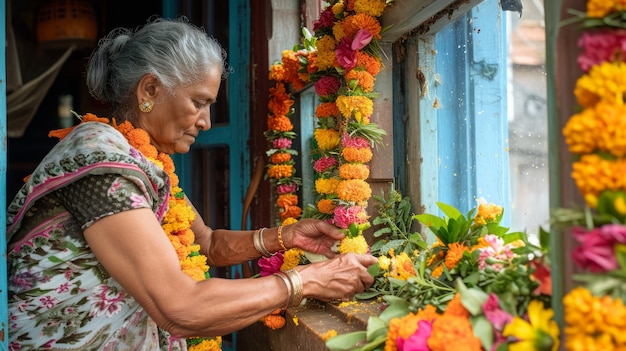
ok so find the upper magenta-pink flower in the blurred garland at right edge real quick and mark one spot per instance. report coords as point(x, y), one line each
point(601, 46)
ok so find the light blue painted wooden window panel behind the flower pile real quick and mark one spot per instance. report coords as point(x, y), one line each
point(472, 122)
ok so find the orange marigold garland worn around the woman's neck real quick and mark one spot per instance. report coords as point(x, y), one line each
point(178, 219)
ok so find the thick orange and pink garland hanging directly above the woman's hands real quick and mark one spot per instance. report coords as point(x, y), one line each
point(348, 61)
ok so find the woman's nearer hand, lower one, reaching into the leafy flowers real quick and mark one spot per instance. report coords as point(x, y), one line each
point(338, 278)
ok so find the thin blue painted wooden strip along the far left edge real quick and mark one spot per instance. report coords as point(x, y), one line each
point(4, 331)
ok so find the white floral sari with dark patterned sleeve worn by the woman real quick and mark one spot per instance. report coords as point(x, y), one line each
point(60, 296)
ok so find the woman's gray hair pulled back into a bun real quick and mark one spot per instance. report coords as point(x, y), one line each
point(175, 51)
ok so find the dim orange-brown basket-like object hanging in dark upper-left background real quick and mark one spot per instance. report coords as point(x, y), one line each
point(66, 22)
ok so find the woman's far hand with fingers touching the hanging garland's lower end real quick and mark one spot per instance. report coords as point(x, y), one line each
point(313, 235)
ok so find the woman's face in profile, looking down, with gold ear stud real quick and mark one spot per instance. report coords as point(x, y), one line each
point(176, 119)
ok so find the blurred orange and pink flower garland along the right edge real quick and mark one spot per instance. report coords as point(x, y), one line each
point(594, 310)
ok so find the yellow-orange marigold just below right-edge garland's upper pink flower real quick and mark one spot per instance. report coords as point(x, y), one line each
point(603, 82)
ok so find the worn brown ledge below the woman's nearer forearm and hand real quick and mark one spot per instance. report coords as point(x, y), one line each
point(307, 325)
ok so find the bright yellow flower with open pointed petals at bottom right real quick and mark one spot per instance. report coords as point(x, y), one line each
point(538, 333)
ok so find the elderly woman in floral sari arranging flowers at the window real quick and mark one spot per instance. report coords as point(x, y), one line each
point(106, 252)
